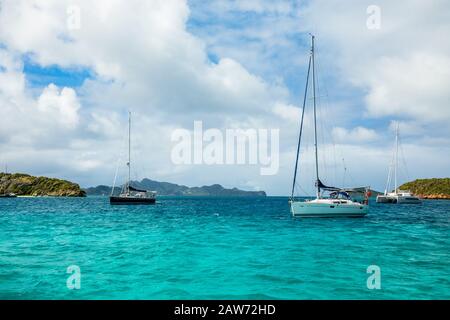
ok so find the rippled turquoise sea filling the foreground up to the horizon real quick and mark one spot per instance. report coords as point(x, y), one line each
point(219, 248)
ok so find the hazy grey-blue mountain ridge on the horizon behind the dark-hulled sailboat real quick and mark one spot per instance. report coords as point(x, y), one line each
point(172, 189)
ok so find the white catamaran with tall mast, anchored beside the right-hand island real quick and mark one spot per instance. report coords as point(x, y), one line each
point(398, 196)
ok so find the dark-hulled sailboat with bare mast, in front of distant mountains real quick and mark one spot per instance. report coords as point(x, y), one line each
point(130, 194)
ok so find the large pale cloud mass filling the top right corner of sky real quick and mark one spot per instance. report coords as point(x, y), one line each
point(403, 67)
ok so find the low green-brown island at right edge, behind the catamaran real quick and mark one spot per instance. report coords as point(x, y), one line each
point(436, 188)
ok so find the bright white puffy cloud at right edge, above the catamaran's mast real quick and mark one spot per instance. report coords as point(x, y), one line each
point(414, 87)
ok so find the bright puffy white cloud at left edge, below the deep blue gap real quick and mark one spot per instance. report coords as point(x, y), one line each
point(29, 121)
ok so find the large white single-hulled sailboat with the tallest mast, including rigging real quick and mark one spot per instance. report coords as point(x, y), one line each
point(338, 202)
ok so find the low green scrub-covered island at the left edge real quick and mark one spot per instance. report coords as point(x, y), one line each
point(21, 184)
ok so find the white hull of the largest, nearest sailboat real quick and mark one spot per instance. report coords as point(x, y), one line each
point(306, 209)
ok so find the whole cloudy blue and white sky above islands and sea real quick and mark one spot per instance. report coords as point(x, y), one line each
point(71, 70)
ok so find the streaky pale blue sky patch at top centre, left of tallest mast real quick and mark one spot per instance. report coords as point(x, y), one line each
point(224, 33)
